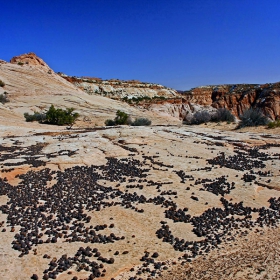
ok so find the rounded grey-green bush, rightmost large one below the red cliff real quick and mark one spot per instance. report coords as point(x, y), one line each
point(252, 117)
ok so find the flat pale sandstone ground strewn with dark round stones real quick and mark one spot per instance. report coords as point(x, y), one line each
point(131, 203)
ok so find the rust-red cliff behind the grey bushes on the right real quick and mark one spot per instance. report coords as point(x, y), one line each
point(236, 98)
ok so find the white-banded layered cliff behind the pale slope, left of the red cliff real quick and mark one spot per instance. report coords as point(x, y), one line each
point(117, 89)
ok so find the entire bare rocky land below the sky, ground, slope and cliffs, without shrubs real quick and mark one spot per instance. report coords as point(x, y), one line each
point(165, 201)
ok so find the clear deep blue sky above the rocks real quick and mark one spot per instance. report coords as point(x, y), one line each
point(177, 43)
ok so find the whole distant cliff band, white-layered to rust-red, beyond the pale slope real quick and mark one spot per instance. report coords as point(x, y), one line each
point(236, 98)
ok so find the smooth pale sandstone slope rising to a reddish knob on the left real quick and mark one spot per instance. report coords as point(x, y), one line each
point(32, 86)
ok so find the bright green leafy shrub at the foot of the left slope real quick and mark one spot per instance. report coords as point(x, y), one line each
point(60, 116)
